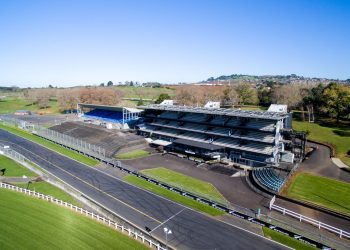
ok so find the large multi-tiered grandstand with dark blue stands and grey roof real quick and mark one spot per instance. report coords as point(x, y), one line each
point(251, 138)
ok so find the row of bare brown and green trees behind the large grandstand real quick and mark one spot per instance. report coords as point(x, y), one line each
point(332, 100)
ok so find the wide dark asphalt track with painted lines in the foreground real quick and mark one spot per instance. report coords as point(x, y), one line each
point(191, 230)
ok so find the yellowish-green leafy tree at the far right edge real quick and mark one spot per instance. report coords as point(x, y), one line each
point(337, 100)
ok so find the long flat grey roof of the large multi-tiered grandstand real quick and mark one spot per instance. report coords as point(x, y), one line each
point(220, 111)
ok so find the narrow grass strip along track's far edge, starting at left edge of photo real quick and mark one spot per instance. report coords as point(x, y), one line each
point(55, 147)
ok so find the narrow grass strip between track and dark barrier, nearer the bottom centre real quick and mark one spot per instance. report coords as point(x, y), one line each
point(172, 195)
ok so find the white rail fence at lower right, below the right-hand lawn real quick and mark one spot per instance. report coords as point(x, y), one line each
point(314, 222)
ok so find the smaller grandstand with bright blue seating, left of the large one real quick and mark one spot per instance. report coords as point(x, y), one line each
point(114, 117)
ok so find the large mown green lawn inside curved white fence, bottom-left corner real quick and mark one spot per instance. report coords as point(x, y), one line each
point(30, 223)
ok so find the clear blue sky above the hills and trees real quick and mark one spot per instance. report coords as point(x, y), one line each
point(88, 42)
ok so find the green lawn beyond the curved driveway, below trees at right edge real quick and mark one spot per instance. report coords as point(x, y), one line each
point(339, 136)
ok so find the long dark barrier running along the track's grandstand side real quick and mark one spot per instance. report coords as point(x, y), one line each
point(251, 218)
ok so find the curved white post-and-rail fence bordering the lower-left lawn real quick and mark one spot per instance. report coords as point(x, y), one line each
point(118, 227)
